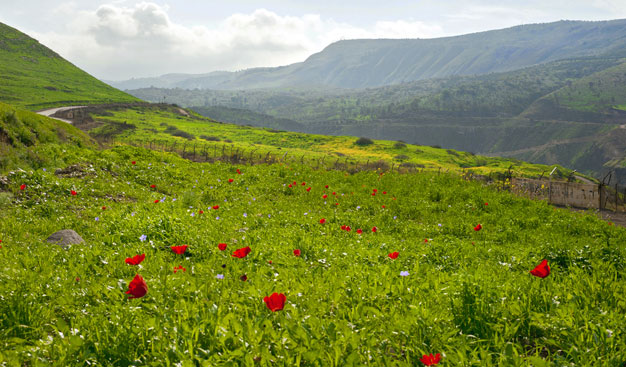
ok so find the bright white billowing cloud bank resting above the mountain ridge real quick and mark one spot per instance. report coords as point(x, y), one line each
point(115, 41)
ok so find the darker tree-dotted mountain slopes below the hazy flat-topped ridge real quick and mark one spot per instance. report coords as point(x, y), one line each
point(568, 112)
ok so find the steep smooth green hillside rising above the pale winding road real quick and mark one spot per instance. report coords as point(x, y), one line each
point(34, 77)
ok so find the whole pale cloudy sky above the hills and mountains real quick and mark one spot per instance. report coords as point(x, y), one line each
point(122, 39)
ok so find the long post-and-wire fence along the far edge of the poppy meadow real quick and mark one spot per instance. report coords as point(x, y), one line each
point(591, 196)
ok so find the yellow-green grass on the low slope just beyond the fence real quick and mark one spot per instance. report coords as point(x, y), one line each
point(150, 124)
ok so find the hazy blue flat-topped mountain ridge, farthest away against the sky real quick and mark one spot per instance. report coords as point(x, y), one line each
point(373, 63)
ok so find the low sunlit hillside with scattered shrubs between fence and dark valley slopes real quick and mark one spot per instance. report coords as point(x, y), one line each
point(171, 128)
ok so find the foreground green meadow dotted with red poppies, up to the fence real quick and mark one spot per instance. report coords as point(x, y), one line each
point(193, 264)
